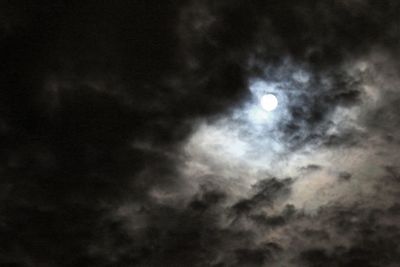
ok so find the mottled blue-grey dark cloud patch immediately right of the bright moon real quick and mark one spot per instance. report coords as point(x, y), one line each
point(311, 108)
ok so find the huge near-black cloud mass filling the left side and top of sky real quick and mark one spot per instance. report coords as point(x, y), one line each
point(97, 99)
